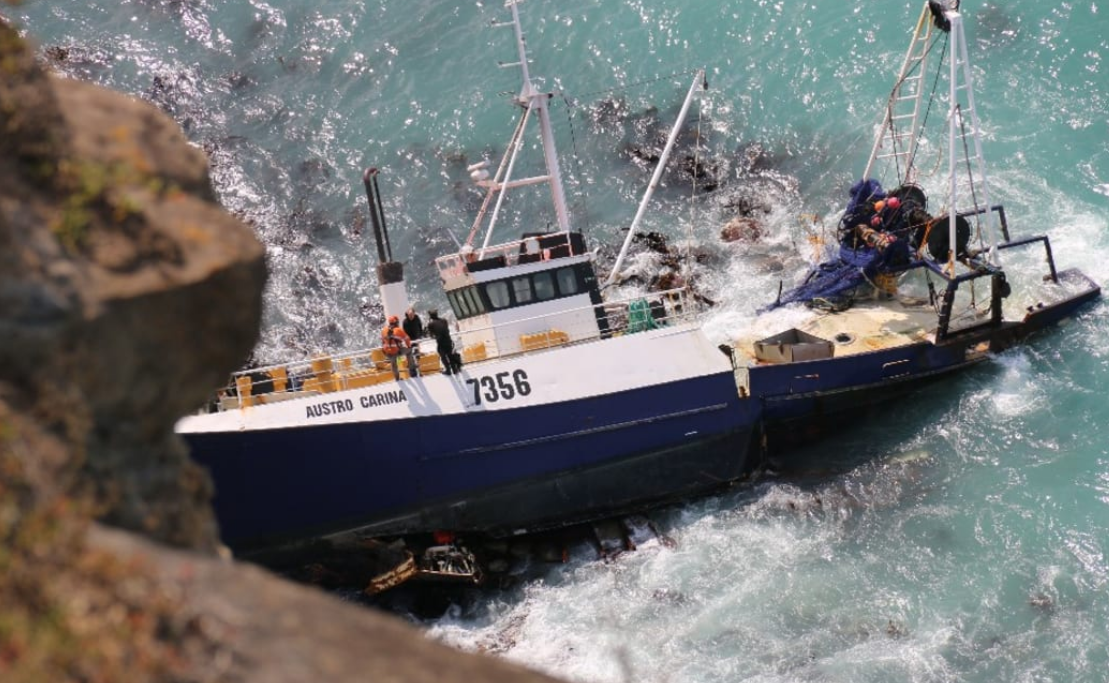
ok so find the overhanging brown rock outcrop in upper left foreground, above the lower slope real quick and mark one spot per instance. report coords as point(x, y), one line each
point(123, 284)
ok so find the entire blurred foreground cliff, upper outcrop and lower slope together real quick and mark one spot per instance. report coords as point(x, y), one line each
point(127, 295)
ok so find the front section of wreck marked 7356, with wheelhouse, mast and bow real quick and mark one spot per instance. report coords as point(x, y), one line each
point(571, 405)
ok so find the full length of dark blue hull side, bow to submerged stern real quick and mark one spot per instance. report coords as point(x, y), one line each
point(527, 470)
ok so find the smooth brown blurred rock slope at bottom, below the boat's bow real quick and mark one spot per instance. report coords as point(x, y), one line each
point(257, 627)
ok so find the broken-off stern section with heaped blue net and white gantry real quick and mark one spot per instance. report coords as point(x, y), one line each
point(922, 280)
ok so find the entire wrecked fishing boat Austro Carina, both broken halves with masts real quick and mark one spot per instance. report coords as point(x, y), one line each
point(574, 406)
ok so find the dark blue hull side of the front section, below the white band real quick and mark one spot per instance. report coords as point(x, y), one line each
point(494, 472)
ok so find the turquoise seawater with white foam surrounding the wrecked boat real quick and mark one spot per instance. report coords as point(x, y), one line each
point(962, 536)
